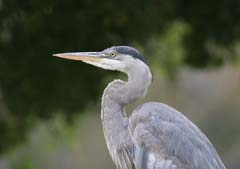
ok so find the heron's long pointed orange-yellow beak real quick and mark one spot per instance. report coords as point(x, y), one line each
point(82, 56)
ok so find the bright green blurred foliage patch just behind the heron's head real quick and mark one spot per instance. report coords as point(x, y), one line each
point(167, 51)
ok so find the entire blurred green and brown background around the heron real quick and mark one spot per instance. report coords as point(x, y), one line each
point(50, 107)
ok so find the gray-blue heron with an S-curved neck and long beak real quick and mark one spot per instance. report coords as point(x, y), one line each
point(155, 135)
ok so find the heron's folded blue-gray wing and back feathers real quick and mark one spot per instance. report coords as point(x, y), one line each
point(171, 138)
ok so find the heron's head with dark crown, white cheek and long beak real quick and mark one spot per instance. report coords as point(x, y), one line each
point(120, 58)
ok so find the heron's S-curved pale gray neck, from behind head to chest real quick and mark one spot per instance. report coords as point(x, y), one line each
point(116, 96)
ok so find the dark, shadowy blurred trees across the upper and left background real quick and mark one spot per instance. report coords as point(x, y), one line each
point(35, 85)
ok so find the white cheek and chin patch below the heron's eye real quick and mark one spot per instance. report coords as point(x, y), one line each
point(108, 64)
